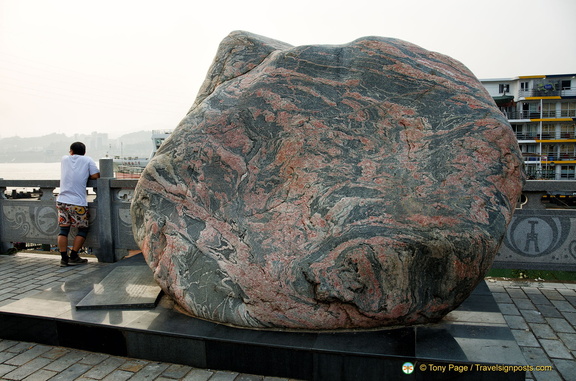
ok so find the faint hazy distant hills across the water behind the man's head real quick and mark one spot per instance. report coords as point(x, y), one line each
point(50, 148)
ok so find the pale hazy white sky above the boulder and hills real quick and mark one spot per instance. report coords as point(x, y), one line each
point(119, 66)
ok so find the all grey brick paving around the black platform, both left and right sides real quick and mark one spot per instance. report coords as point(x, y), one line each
point(541, 315)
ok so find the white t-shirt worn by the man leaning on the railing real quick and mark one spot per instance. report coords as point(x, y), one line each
point(75, 170)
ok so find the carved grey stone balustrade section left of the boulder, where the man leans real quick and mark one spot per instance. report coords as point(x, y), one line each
point(35, 220)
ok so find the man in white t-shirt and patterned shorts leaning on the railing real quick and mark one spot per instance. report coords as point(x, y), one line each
point(72, 204)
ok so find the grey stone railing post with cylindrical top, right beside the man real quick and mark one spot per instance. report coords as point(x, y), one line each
point(105, 252)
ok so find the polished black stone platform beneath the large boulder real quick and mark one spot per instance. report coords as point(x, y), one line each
point(471, 343)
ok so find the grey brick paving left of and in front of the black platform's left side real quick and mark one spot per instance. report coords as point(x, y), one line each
point(25, 274)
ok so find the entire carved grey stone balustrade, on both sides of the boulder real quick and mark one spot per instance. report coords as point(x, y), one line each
point(538, 237)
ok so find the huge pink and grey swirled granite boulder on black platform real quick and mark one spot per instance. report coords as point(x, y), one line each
point(329, 187)
